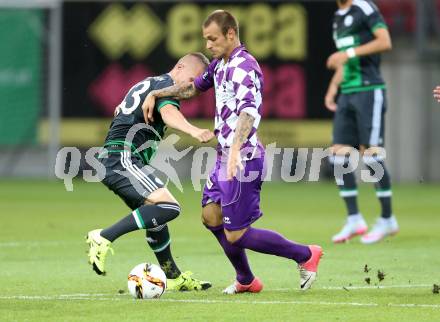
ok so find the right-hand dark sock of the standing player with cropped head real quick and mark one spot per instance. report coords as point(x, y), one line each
point(383, 186)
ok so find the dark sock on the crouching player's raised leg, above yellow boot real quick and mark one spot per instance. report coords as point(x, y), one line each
point(144, 217)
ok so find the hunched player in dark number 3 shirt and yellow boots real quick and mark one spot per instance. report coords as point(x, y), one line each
point(130, 177)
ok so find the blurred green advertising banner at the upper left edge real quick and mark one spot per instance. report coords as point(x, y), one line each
point(21, 32)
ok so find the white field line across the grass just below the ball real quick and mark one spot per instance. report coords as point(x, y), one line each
point(94, 297)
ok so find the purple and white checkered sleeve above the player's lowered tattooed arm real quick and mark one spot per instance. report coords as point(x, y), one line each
point(247, 88)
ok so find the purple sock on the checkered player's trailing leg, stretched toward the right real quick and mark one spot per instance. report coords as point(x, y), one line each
point(270, 242)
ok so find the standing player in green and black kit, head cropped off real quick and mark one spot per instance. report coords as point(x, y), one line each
point(360, 35)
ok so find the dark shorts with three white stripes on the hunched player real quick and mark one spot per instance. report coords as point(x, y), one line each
point(129, 178)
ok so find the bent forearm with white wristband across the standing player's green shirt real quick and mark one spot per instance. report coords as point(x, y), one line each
point(380, 43)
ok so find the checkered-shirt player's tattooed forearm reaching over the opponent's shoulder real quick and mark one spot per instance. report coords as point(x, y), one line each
point(179, 91)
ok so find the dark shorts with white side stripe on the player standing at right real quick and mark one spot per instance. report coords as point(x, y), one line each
point(360, 119)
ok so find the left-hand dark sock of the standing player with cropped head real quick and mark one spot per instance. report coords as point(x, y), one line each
point(347, 184)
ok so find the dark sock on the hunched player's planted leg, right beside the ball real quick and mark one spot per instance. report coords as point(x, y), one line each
point(160, 242)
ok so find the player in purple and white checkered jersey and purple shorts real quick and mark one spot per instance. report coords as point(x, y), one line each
point(231, 201)
